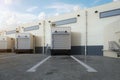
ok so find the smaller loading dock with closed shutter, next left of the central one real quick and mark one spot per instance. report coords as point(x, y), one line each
point(24, 43)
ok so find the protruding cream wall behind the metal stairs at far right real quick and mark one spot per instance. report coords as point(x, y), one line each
point(111, 33)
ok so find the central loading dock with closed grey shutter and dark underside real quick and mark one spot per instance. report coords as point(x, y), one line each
point(61, 40)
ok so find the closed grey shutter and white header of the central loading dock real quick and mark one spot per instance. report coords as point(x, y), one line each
point(61, 38)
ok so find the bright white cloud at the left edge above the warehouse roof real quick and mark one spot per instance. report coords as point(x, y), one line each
point(14, 18)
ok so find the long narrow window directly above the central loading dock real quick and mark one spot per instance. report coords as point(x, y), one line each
point(66, 21)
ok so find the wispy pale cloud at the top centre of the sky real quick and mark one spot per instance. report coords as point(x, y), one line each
point(63, 7)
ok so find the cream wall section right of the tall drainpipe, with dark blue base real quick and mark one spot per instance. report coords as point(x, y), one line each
point(96, 25)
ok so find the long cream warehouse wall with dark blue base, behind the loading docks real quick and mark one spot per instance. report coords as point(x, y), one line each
point(91, 30)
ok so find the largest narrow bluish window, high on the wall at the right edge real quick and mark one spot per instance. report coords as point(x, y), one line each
point(110, 13)
